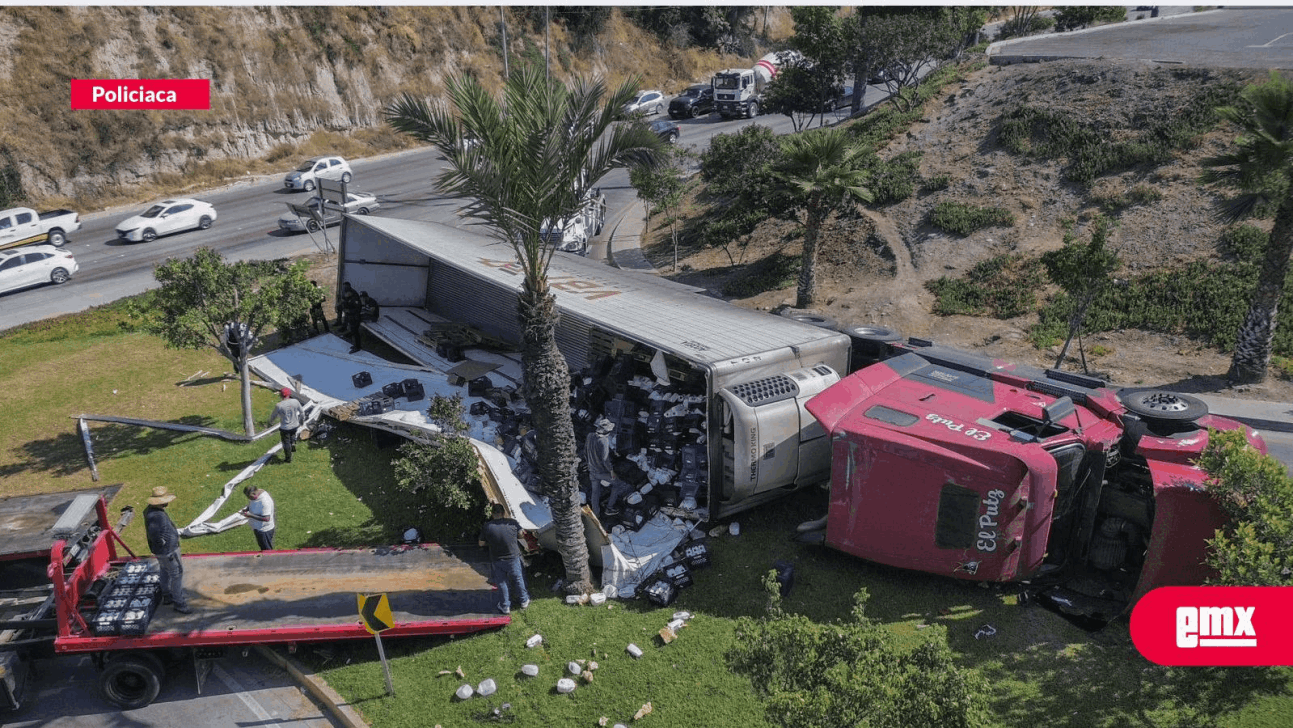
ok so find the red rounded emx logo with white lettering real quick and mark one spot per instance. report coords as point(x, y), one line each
point(1215, 626)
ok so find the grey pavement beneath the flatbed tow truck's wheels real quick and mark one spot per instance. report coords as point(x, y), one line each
point(240, 692)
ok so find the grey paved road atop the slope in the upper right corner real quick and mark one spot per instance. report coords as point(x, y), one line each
point(1239, 38)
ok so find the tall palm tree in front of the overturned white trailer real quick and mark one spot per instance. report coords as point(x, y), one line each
point(518, 162)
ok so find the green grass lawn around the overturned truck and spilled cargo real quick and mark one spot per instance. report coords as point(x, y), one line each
point(341, 492)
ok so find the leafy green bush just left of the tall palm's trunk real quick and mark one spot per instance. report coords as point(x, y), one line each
point(445, 474)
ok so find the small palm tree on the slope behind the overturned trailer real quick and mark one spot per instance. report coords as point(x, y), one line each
point(823, 170)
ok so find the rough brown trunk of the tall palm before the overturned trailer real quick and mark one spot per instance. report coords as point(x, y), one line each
point(548, 392)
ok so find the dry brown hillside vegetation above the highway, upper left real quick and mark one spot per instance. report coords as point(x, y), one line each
point(286, 82)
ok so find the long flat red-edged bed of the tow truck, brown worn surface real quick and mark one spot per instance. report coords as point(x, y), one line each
point(311, 597)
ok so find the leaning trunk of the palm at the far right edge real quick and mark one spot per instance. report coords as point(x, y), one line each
point(1254, 347)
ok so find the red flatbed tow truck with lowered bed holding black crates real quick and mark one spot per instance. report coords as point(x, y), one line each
point(70, 585)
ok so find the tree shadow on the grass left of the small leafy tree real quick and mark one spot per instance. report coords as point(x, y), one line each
point(65, 453)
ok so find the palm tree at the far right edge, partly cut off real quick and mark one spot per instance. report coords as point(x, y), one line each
point(1261, 169)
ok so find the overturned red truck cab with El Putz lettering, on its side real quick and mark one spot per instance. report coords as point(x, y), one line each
point(957, 465)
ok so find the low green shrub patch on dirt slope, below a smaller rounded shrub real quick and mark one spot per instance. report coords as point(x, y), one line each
point(1003, 288)
